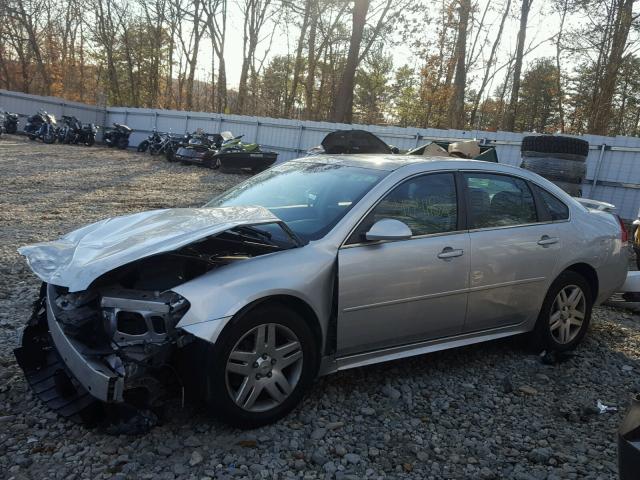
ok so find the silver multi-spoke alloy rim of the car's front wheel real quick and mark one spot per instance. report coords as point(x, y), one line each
point(264, 367)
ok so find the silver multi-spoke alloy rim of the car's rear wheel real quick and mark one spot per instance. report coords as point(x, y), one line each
point(567, 314)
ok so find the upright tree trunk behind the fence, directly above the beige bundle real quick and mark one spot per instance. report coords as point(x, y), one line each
point(456, 104)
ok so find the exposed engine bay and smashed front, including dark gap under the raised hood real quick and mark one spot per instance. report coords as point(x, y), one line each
point(117, 342)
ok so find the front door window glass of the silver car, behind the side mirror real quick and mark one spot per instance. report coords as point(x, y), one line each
point(427, 204)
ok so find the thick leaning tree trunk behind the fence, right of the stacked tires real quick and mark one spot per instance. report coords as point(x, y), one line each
point(601, 114)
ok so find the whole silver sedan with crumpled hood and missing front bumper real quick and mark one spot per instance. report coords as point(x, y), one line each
point(313, 266)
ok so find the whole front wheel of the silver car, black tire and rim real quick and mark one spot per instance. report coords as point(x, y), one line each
point(222, 384)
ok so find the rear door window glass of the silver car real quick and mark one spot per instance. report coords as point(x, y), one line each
point(498, 201)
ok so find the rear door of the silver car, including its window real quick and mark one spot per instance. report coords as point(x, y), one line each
point(514, 249)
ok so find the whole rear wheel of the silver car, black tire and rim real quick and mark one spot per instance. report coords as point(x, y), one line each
point(552, 334)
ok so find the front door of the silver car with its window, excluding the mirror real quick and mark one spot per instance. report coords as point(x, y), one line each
point(399, 292)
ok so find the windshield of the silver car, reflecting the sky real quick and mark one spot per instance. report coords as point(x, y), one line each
point(309, 197)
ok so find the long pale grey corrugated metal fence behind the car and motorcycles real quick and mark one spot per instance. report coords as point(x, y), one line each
point(613, 165)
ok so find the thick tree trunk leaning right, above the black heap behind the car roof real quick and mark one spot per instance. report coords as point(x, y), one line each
point(343, 102)
